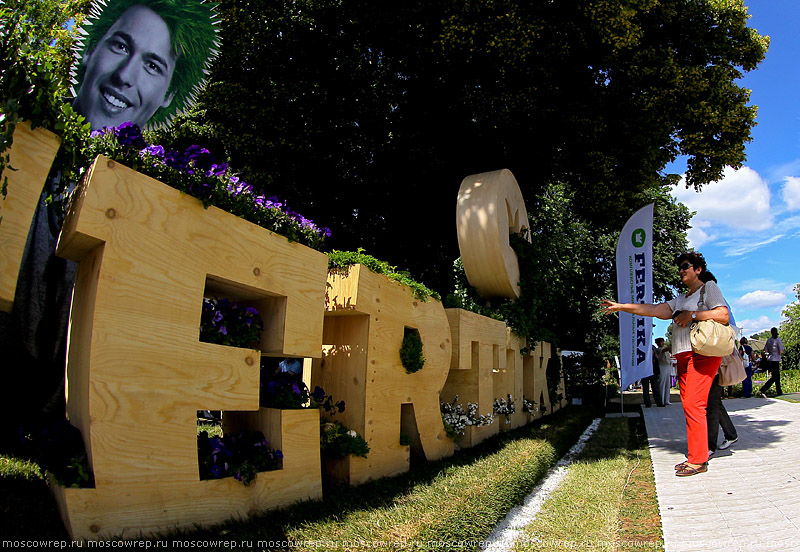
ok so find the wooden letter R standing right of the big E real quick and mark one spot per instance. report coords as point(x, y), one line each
point(364, 325)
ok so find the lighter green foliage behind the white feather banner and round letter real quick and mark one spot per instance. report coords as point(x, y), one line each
point(568, 266)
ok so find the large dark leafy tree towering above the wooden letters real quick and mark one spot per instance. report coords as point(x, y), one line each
point(367, 115)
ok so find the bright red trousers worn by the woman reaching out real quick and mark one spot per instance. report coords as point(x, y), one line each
point(696, 373)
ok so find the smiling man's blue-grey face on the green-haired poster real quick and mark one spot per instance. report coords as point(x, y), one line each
point(128, 72)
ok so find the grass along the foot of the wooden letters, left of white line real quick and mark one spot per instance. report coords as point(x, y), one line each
point(446, 505)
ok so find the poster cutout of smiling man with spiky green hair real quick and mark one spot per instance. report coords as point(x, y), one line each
point(143, 61)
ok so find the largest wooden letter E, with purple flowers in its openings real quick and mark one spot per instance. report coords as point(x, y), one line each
point(137, 372)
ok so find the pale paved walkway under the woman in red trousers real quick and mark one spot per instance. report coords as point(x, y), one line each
point(749, 500)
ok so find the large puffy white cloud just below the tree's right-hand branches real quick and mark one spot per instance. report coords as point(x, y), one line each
point(740, 201)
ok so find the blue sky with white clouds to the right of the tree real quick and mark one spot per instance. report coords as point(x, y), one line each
point(748, 224)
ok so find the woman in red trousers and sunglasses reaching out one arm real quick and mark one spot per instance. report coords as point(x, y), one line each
point(702, 301)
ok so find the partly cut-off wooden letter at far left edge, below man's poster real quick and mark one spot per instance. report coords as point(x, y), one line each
point(30, 156)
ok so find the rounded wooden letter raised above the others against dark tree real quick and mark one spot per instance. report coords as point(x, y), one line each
point(490, 206)
